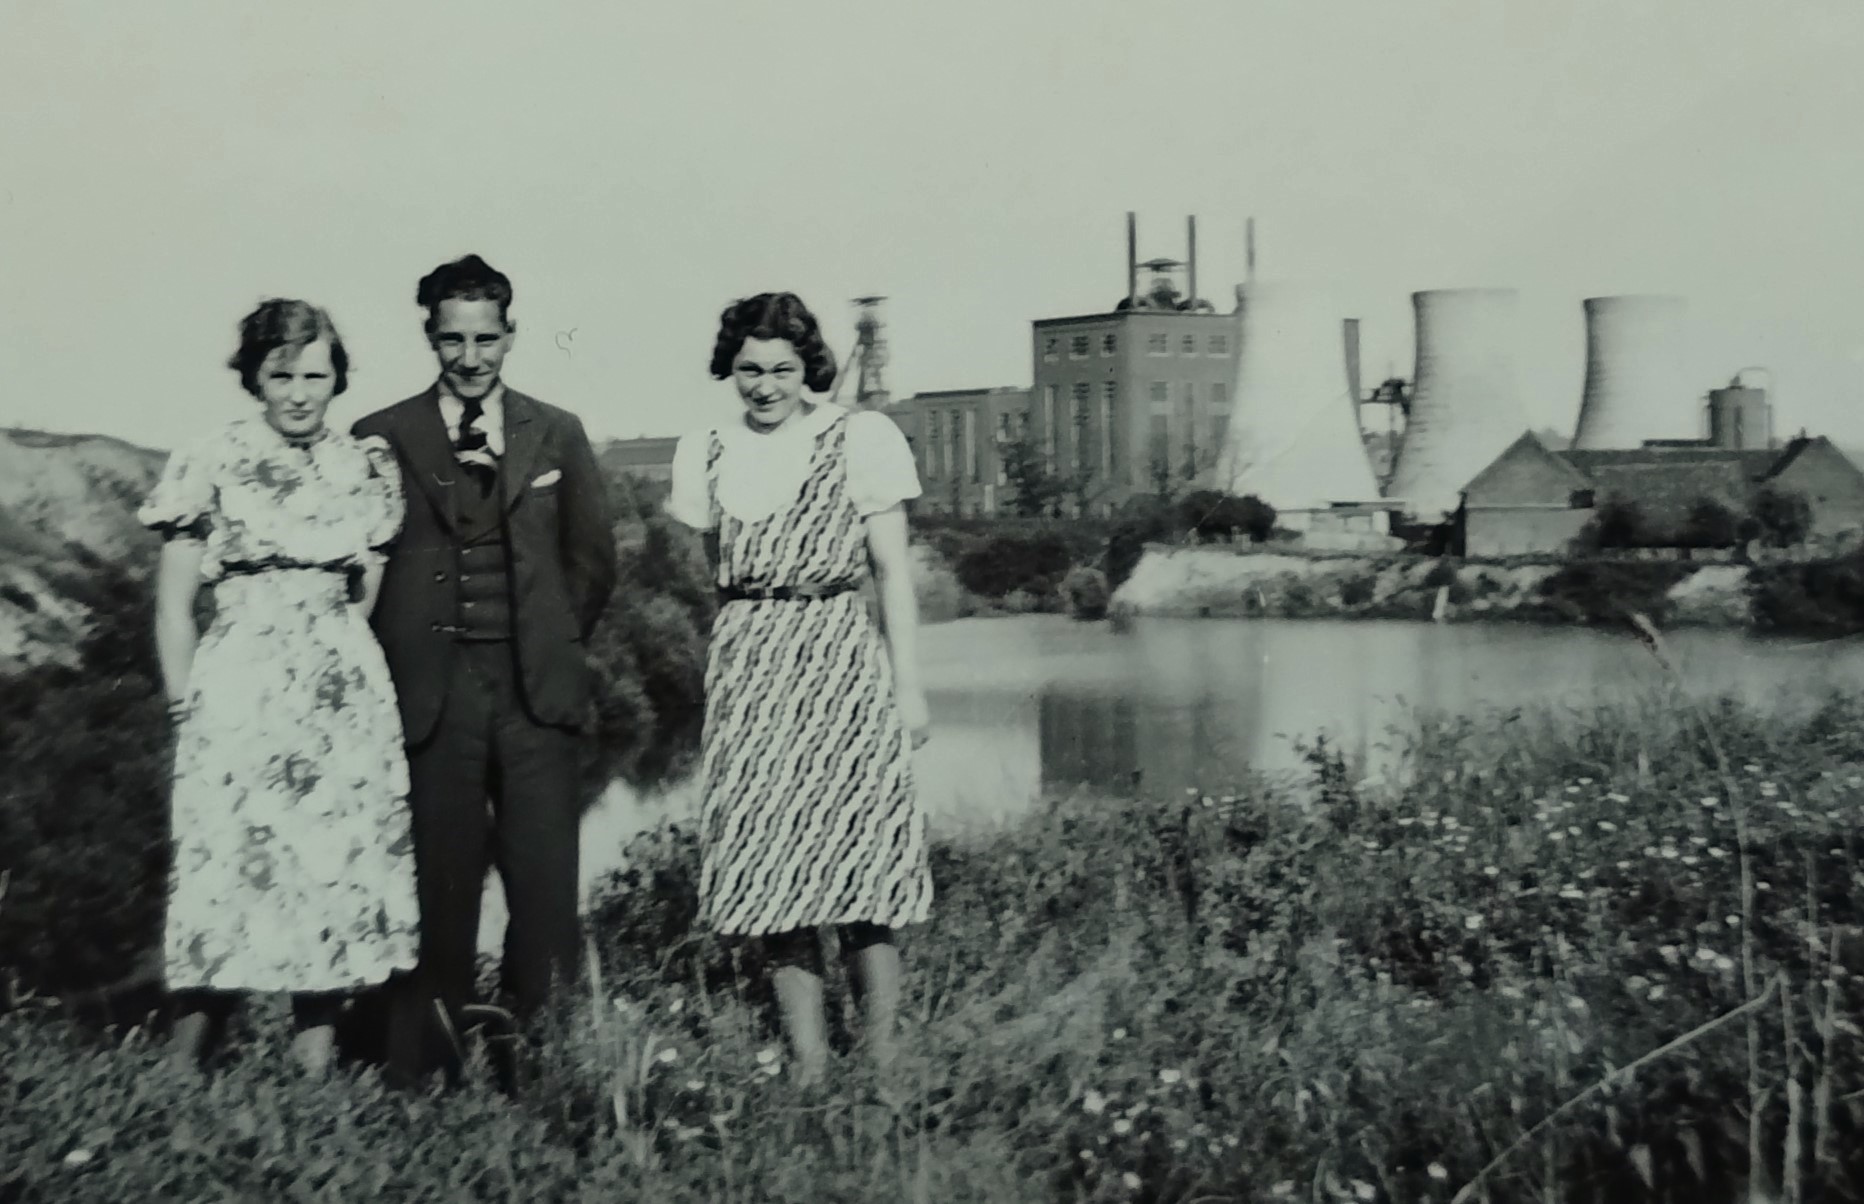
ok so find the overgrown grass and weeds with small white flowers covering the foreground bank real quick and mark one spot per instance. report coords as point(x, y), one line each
point(1595, 959)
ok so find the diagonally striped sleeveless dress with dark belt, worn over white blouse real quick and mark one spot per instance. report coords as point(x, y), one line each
point(808, 815)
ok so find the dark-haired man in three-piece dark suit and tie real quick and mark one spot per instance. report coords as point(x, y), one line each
point(493, 588)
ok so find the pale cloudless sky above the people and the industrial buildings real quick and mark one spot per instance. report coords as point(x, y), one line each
point(635, 169)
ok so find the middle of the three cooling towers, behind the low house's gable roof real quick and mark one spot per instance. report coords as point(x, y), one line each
point(1464, 404)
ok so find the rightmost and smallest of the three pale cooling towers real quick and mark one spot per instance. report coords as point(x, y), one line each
point(1636, 379)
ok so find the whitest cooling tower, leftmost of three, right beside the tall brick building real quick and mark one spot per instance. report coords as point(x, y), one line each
point(1295, 428)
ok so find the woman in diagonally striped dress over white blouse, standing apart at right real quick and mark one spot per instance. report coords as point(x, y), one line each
point(808, 814)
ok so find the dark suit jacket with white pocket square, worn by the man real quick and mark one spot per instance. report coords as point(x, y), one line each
point(562, 558)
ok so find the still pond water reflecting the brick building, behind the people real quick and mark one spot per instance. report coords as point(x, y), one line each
point(1039, 705)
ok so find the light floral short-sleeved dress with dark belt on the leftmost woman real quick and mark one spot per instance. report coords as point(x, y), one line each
point(294, 862)
